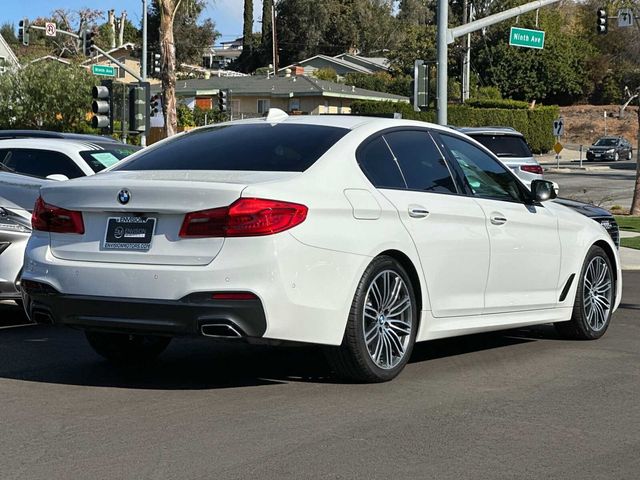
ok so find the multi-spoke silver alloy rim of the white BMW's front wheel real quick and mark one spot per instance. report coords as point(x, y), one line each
point(597, 293)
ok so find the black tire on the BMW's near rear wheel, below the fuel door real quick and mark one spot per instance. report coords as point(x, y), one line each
point(352, 360)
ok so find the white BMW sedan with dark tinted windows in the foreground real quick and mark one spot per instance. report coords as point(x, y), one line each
point(361, 234)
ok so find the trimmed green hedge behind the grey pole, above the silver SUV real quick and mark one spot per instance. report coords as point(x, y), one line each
point(535, 124)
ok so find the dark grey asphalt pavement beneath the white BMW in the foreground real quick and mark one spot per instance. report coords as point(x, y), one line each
point(516, 404)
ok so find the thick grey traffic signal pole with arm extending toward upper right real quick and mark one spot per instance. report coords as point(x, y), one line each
point(447, 35)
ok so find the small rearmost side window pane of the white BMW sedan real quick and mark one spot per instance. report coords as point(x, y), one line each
point(378, 164)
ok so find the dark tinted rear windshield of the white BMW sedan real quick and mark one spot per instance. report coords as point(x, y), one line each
point(252, 147)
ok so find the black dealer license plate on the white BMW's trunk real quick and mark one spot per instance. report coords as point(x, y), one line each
point(129, 233)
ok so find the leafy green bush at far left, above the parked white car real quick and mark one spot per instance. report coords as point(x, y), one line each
point(48, 95)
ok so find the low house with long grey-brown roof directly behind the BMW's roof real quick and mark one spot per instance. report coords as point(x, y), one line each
point(253, 95)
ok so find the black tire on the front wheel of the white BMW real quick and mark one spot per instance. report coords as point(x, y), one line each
point(580, 327)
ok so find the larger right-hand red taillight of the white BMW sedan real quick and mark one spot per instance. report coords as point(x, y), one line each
point(246, 217)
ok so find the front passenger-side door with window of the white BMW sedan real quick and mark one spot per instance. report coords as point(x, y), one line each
point(525, 242)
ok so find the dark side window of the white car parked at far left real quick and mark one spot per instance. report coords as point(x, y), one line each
point(40, 163)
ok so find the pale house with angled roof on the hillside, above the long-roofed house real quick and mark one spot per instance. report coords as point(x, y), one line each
point(342, 64)
